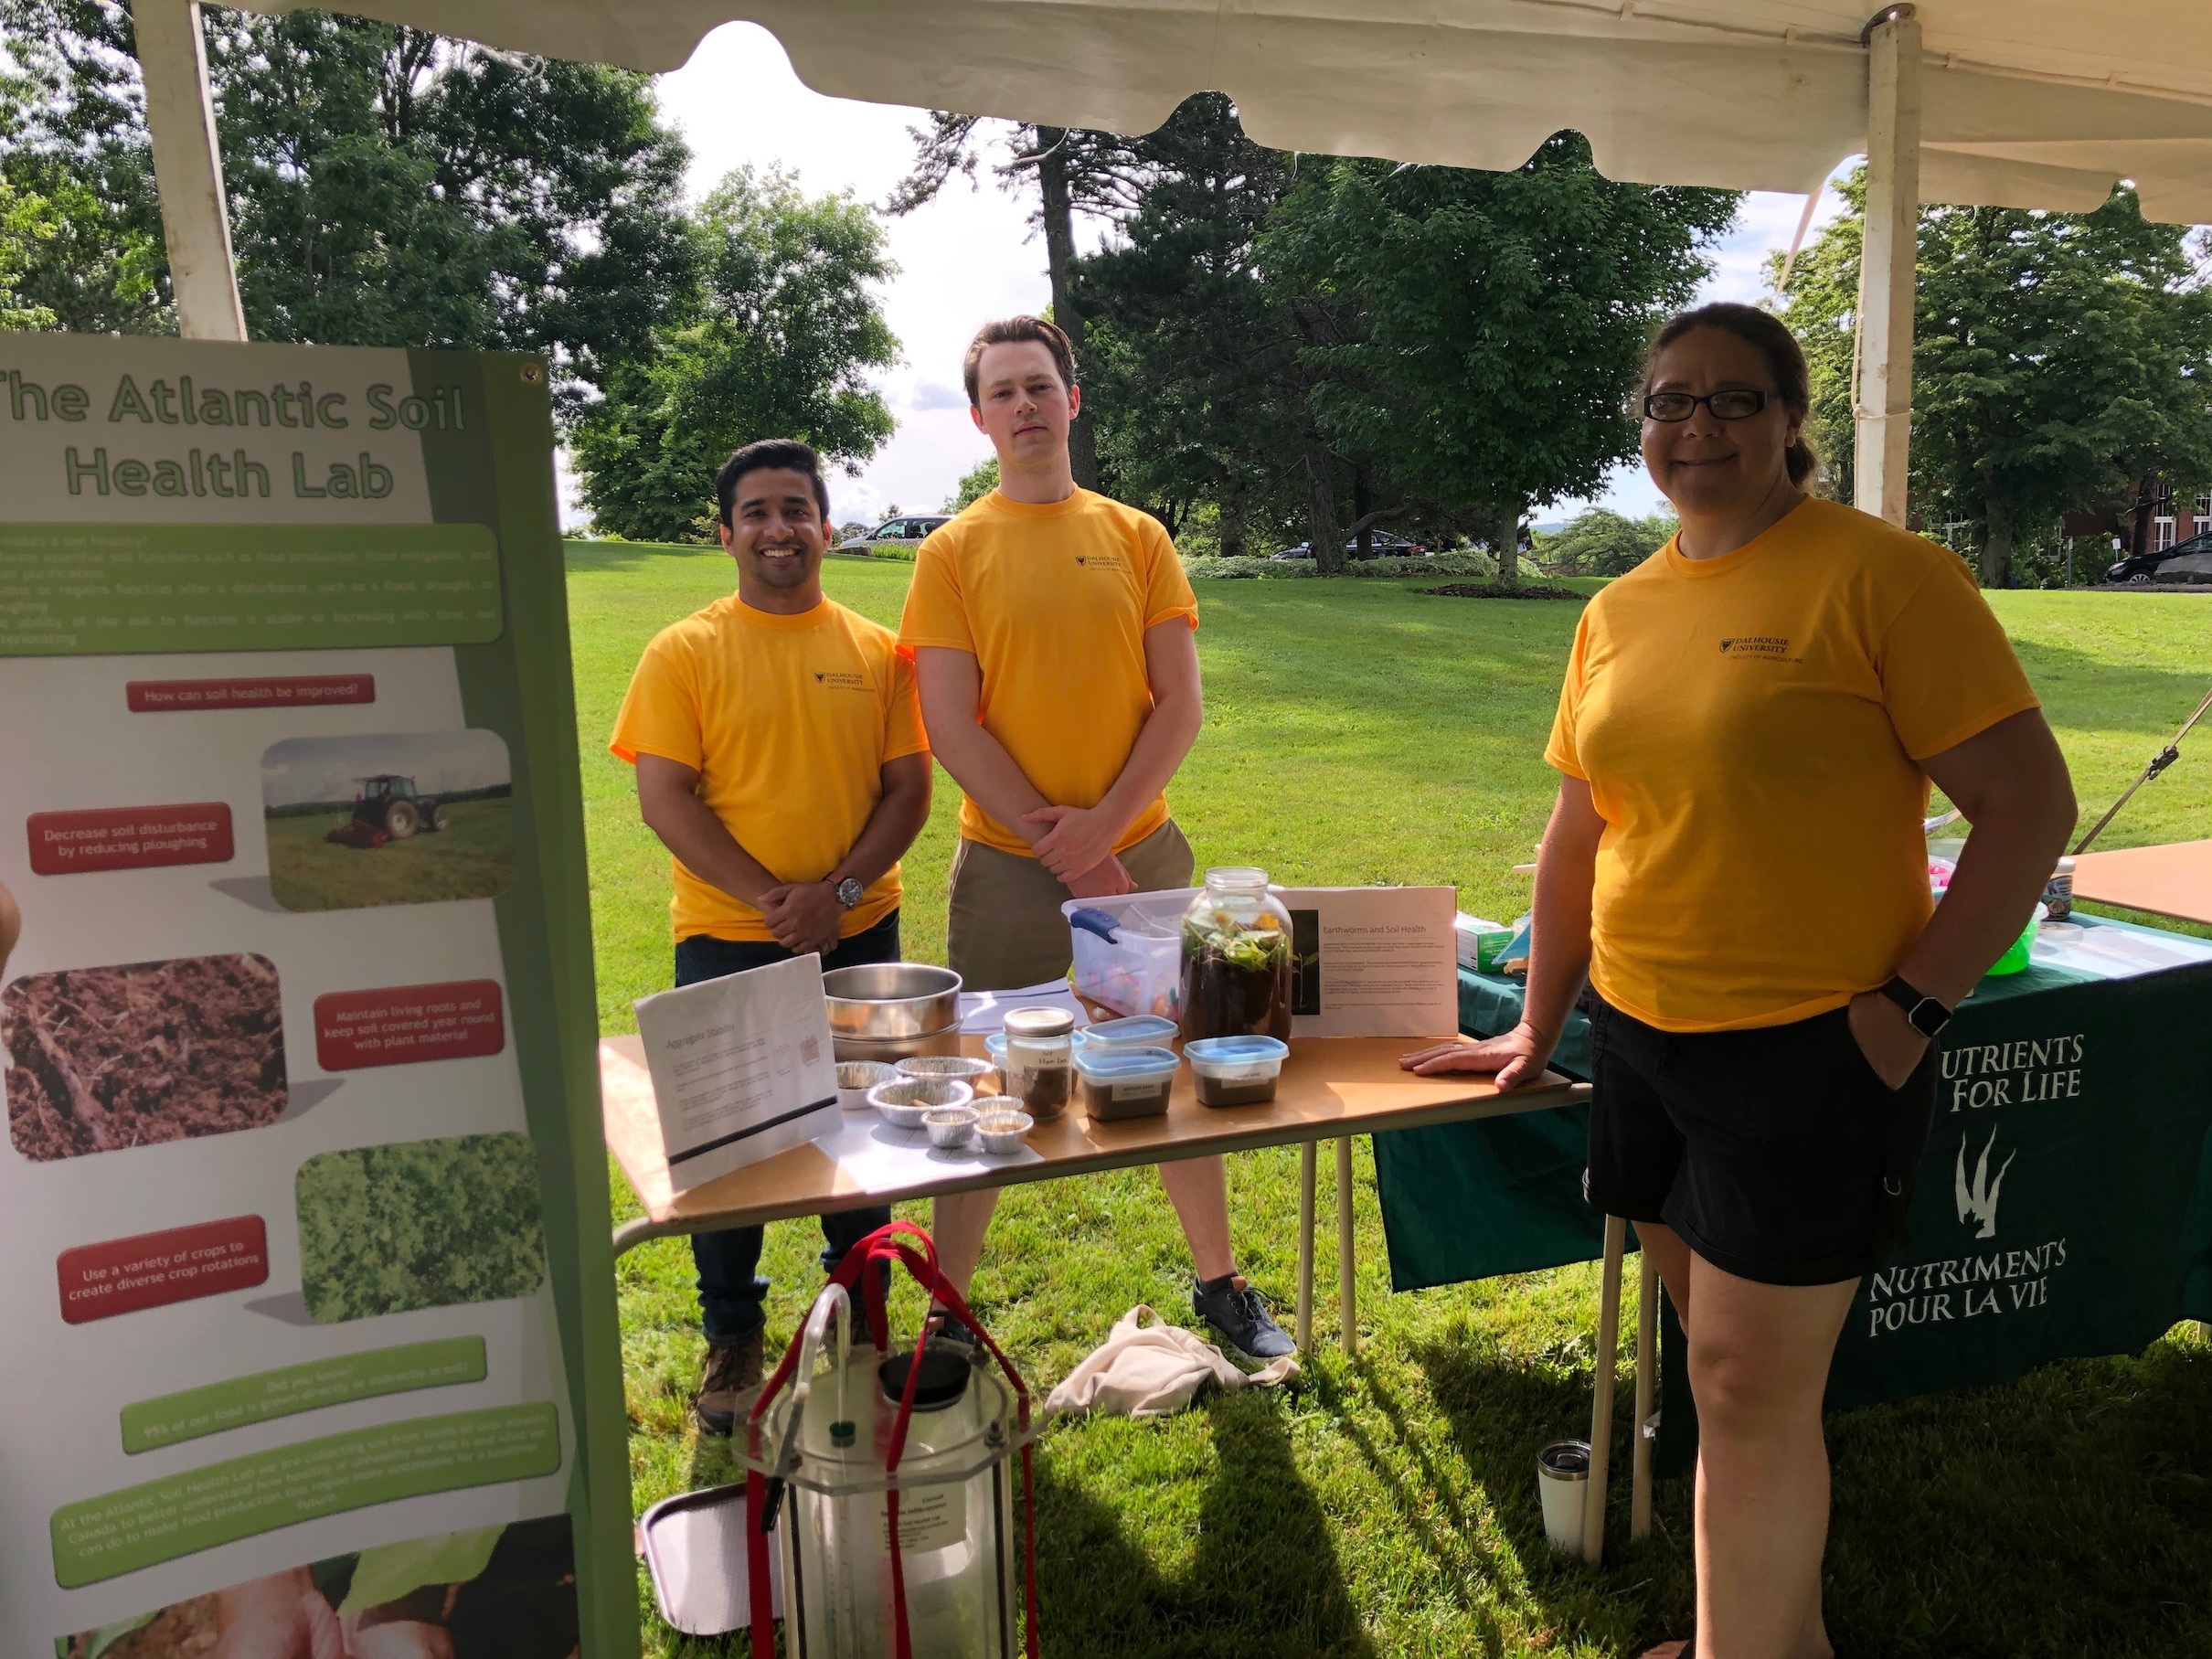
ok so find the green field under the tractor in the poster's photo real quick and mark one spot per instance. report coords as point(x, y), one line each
point(474, 857)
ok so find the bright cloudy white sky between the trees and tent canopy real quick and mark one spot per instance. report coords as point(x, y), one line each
point(972, 253)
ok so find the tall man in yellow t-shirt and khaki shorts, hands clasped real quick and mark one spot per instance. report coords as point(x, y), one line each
point(1052, 634)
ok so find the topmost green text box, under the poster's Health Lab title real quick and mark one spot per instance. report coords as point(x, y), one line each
point(118, 589)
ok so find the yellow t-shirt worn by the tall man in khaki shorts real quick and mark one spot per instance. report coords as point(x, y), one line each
point(1054, 603)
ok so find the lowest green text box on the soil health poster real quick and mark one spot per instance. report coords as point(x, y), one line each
point(200, 1510)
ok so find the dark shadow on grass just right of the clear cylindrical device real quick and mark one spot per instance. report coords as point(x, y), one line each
point(1264, 1576)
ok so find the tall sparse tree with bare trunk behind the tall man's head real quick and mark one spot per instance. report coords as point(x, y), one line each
point(1074, 171)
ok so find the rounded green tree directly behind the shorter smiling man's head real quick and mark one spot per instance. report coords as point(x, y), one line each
point(778, 346)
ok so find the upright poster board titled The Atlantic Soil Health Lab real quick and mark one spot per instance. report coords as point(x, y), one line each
point(304, 1202)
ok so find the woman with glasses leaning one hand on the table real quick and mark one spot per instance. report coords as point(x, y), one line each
point(1746, 740)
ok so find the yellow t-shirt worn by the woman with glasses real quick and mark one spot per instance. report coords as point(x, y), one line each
point(1751, 731)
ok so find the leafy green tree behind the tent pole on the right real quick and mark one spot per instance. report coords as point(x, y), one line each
point(2056, 362)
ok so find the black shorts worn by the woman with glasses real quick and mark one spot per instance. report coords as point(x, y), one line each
point(1777, 1154)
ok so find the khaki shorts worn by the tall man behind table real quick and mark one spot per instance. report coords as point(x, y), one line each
point(1005, 928)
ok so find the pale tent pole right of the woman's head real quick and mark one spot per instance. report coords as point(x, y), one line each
point(1888, 267)
